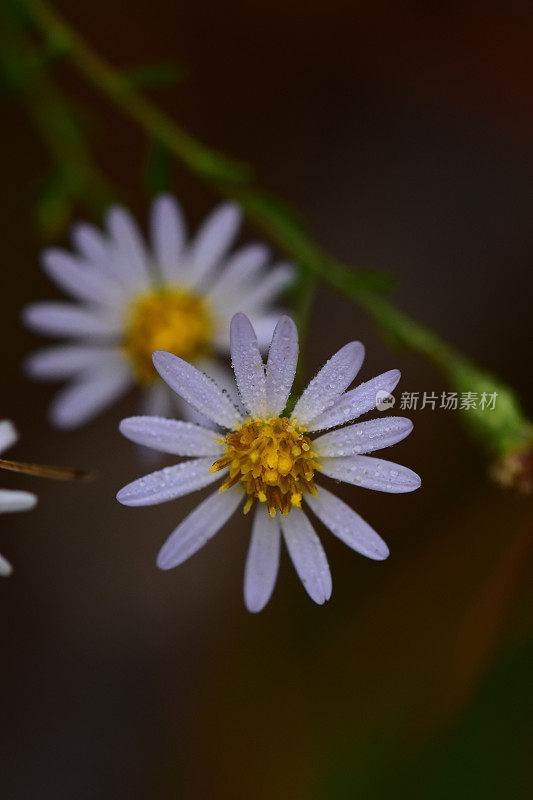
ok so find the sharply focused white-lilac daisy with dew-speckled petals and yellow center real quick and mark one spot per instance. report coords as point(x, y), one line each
point(271, 460)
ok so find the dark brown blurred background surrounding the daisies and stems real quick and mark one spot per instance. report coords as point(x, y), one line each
point(404, 133)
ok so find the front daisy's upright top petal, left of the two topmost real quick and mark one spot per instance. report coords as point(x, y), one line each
point(248, 365)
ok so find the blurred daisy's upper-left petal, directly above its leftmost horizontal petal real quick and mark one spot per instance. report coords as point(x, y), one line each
point(78, 278)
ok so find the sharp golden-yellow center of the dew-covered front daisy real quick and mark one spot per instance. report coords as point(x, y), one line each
point(273, 460)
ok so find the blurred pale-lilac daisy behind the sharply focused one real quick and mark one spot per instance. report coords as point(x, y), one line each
point(131, 300)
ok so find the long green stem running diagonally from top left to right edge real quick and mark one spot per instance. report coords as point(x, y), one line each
point(501, 431)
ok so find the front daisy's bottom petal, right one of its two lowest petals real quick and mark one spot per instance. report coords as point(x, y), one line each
point(307, 555)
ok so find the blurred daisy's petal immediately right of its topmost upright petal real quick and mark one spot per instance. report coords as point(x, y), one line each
point(213, 240)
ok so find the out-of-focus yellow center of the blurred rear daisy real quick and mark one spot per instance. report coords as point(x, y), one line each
point(166, 319)
